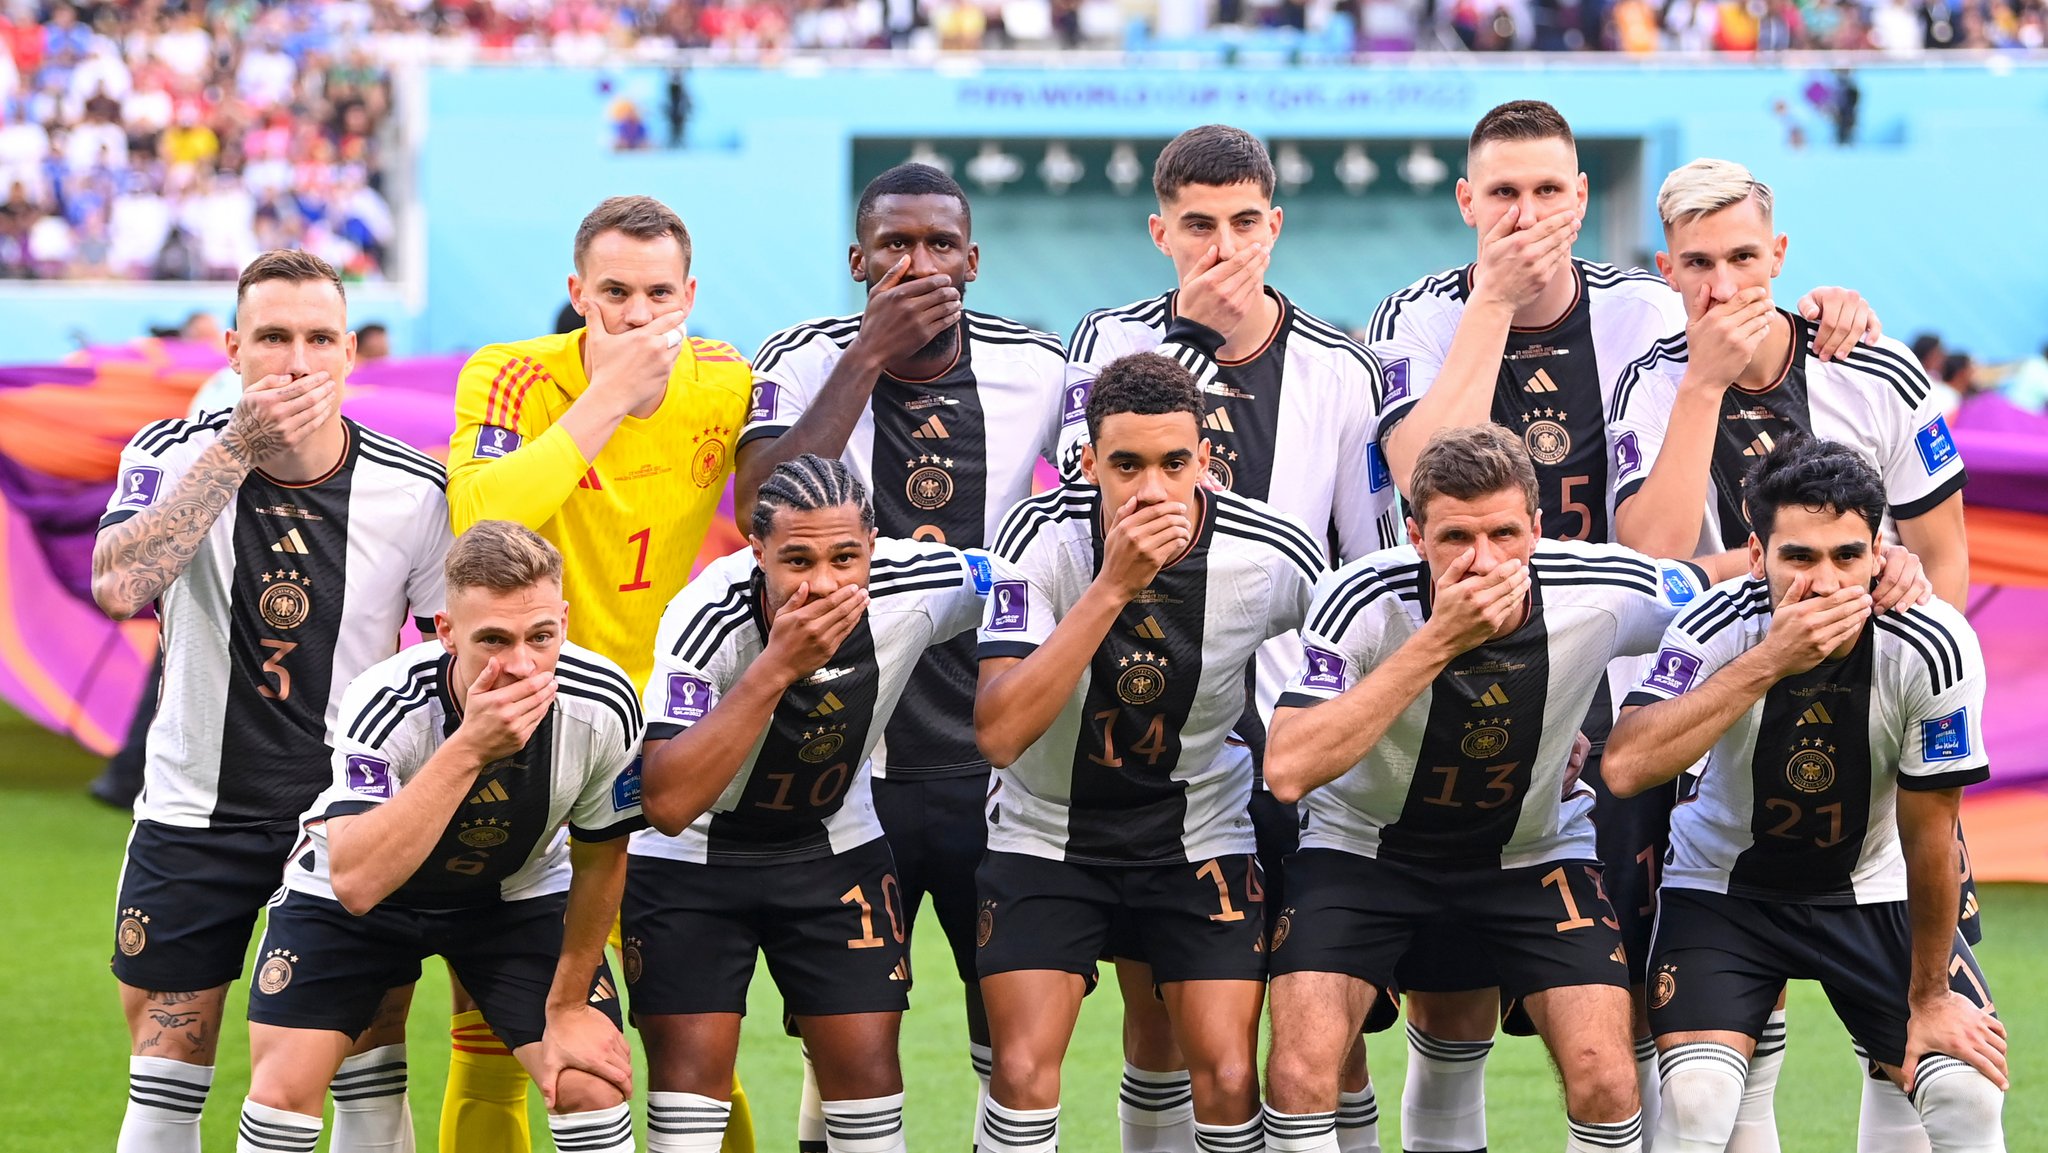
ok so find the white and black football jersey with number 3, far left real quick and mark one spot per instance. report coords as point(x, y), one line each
point(294, 593)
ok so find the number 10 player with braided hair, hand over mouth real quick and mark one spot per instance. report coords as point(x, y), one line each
point(775, 677)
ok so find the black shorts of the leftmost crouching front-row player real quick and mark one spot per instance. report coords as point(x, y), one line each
point(323, 968)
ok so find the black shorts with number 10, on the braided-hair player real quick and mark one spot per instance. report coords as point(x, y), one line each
point(833, 931)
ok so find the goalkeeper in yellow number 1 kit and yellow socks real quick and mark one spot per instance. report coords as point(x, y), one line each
point(615, 443)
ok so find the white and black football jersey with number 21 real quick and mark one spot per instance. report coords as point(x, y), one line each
point(1799, 798)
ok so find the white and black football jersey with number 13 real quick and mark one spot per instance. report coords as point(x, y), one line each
point(1471, 775)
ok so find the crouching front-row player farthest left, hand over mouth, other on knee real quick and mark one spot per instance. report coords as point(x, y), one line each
point(456, 763)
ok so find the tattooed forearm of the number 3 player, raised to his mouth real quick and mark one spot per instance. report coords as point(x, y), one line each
point(136, 560)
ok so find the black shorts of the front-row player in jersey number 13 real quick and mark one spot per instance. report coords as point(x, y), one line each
point(1545, 927)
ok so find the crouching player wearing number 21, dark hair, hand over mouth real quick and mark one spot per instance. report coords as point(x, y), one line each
point(1822, 841)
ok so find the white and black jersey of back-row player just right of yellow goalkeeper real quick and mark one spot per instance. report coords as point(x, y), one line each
point(943, 462)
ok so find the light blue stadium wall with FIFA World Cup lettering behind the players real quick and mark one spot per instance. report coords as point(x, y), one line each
point(1930, 214)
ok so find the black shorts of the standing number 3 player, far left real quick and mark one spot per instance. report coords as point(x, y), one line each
point(189, 902)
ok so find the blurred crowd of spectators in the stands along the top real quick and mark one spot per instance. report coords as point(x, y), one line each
point(146, 140)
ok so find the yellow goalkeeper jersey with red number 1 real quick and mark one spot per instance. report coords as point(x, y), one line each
point(632, 521)
